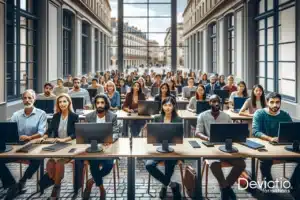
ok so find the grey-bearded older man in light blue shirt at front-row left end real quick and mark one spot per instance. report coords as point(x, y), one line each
point(31, 125)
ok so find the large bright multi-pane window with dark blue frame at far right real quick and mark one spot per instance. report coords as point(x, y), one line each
point(276, 47)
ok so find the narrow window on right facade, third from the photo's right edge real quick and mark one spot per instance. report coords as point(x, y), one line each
point(213, 41)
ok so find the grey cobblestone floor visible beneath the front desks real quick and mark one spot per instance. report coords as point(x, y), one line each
point(141, 184)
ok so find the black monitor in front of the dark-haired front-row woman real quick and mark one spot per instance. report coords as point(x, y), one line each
point(161, 133)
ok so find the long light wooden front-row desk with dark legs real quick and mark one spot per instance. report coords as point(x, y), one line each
point(140, 149)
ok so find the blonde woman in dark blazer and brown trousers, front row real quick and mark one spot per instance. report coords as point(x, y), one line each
point(62, 129)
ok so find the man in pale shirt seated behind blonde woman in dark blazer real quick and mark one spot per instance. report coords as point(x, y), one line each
point(76, 91)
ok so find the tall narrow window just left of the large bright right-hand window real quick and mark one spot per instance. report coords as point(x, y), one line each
point(231, 43)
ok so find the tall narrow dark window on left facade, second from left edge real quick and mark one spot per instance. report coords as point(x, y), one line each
point(67, 43)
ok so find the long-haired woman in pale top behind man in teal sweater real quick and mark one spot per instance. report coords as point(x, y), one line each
point(255, 102)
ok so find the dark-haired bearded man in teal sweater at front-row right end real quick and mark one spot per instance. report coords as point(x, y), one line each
point(265, 126)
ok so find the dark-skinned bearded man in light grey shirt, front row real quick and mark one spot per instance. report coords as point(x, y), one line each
point(205, 119)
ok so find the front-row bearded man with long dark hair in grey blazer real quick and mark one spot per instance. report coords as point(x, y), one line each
point(102, 114)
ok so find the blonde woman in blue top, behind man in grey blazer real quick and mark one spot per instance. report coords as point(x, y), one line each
point(113, 95)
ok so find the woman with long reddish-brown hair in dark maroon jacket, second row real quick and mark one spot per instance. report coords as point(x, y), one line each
point(130, 105)
